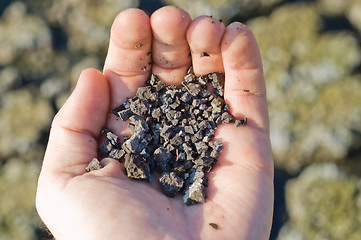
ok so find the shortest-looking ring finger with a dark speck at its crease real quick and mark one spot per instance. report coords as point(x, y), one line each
point(204, 36)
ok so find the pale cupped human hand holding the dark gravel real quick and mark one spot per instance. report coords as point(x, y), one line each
point(105, 204)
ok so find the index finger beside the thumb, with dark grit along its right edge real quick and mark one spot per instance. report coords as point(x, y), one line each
point(128, 62)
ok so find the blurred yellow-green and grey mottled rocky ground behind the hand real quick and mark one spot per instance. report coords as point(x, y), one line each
point(311, 55)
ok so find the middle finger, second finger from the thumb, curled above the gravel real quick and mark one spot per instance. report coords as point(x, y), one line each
point(170, 48)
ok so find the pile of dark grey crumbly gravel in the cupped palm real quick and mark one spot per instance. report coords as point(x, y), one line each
point(172, 131)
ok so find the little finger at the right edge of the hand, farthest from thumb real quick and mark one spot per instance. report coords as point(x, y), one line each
point(245, 89)
